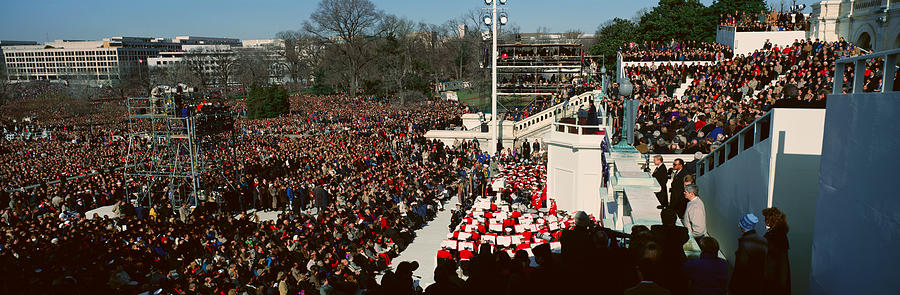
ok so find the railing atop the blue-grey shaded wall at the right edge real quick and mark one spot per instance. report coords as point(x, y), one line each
point(859, 68)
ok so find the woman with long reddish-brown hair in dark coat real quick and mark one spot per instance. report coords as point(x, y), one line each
point(778, 267)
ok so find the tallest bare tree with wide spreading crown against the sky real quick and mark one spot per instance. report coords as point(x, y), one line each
point(352, 22)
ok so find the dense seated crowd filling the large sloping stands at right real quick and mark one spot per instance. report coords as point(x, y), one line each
point(725, 96)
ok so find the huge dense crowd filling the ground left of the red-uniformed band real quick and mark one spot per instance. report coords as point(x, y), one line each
point(354, 180)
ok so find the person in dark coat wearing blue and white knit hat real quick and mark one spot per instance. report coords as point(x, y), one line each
point(749, 259)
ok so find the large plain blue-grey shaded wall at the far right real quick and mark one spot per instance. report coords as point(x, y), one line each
point(858, 211)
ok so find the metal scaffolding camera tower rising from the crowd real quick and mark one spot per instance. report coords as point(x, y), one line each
point(163, 151)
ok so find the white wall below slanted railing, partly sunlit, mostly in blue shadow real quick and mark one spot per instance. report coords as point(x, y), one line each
point(780, 171)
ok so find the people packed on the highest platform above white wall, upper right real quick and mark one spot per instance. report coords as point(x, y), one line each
point(772, 21)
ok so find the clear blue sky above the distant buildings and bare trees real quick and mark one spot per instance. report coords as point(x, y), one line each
point(44, 21)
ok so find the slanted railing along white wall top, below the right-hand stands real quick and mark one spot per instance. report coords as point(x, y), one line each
point(724, 152)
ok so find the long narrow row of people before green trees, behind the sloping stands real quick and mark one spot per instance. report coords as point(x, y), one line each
point(674, 51)
